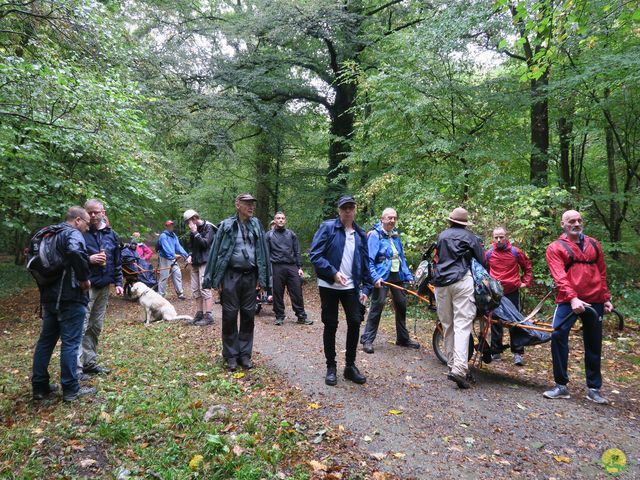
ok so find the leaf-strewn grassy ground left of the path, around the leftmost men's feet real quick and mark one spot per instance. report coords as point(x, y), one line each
point(168, 410)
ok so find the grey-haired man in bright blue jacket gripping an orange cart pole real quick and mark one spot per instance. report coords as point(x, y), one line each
point(387, 263)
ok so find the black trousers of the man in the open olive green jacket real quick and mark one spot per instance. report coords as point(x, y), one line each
point(238, 296)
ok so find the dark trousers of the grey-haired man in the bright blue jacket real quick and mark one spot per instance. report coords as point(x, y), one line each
point(378, 300)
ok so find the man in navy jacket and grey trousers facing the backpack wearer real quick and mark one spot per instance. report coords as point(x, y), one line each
point(103, 247)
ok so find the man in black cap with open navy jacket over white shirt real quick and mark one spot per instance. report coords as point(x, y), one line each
point(341, 261)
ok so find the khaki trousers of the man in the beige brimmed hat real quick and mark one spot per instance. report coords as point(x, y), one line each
point(456, 311)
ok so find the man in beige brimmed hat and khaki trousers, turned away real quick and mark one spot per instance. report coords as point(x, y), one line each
point(456, 246)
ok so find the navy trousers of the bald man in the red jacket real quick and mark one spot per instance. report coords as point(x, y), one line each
point(563, 320)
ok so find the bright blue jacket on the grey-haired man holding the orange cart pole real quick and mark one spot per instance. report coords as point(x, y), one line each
point(380, 254)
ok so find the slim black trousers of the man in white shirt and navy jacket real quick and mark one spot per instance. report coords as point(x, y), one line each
point(329, 300)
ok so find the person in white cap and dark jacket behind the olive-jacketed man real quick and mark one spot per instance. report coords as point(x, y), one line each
point(201, 234)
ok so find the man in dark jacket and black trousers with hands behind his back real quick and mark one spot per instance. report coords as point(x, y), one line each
point(286, 264)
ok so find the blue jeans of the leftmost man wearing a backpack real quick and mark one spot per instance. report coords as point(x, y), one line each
point(64, 324)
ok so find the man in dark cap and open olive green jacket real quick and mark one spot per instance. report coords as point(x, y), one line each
point(238, 262)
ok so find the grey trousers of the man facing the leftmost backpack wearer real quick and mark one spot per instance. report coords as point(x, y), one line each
point(93, 324)
